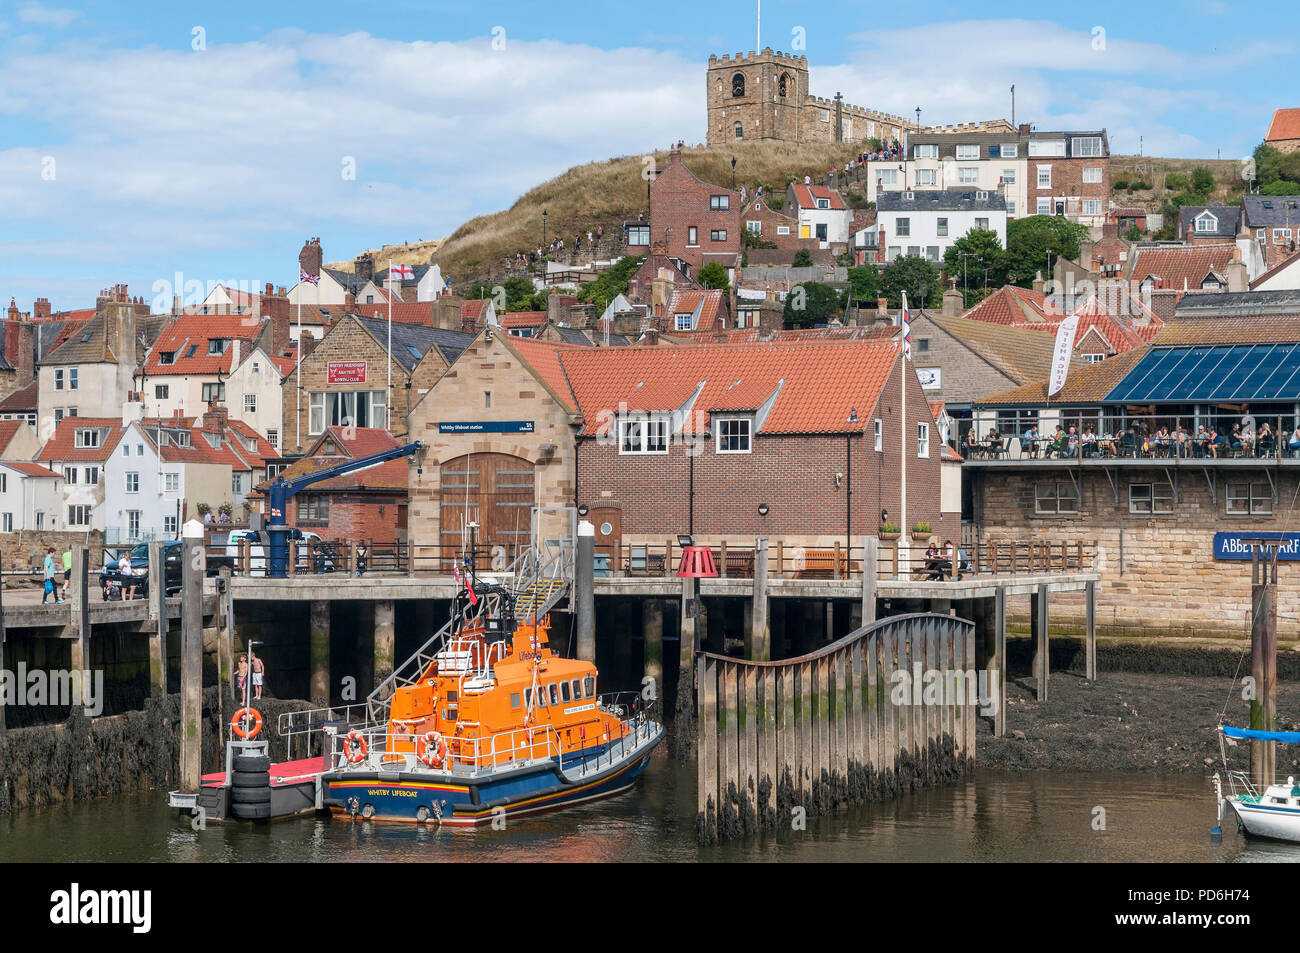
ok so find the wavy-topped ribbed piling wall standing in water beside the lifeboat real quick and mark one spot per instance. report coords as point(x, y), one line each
point(800, 738)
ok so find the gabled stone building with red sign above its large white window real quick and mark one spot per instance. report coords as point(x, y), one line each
point(345, 378)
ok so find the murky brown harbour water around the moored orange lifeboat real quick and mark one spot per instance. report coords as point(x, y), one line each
point(1039, 816)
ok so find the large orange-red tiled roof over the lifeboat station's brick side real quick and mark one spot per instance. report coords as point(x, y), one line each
point(736, 378)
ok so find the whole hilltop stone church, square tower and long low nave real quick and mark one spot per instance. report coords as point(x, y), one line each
point(765, 97)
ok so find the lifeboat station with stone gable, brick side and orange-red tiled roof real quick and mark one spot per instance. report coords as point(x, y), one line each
point(803, 444)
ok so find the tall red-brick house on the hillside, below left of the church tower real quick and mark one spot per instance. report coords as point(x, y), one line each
point(696, 223)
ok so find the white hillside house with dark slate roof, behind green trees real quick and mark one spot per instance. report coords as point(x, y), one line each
point(928, 224)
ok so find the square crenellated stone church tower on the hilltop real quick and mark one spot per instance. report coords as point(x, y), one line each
point(756, 97)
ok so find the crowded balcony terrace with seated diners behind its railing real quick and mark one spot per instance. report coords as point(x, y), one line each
point(1155, 437)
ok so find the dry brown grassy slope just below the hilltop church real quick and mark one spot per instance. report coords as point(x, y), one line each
point(613, 192)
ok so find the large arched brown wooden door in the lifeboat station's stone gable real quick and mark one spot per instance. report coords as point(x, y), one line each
point(495, 491)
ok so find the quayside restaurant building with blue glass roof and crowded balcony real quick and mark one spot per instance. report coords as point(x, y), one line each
point(1175, 453)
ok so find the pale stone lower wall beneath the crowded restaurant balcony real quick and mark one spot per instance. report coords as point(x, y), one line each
point(1162, 577)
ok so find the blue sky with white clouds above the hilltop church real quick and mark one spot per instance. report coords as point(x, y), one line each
point(159, 145)
